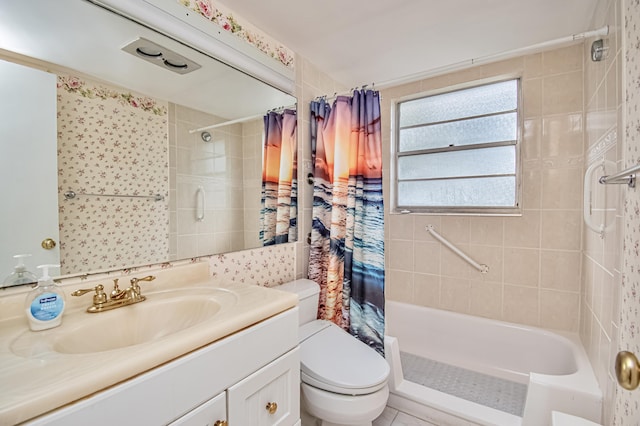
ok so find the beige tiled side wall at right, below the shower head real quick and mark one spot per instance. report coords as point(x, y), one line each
point(601, 260)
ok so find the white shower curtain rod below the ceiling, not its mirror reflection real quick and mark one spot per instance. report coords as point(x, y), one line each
point(534, 48)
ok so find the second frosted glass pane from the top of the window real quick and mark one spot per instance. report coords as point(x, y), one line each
point(494, 128)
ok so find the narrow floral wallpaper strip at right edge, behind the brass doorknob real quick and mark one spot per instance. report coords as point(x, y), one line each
point(627, 404)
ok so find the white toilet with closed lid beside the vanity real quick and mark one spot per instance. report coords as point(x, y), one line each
point(344, 381)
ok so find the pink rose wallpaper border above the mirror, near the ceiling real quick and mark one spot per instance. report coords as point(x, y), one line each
point(225, 19)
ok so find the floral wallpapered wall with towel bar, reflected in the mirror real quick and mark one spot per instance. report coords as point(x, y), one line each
point(111, 141)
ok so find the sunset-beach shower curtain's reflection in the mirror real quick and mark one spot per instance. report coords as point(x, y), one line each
point(279, 198)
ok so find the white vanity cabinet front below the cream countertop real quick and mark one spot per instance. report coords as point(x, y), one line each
point(237, 379)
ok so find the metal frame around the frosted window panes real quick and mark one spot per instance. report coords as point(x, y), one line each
point(457, 210)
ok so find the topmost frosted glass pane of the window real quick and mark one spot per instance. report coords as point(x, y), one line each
point(475, 101)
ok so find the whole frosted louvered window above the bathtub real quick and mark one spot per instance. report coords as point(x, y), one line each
point(457, 151)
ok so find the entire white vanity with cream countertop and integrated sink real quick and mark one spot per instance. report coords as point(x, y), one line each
point(238, 366)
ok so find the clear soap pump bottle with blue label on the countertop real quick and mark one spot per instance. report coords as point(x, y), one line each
point(45, 303)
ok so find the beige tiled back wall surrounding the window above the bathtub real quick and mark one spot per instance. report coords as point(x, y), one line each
point(534, 259)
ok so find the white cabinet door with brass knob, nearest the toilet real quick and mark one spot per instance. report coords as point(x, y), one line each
point(268, 397)
